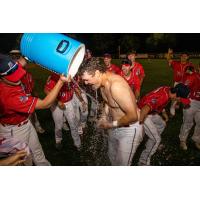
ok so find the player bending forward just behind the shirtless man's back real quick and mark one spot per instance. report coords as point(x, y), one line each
point(152, 105)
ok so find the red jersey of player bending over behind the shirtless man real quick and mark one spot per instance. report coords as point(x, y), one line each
point(156, 100)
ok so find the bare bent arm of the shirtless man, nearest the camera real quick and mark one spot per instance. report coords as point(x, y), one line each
point(124, 97)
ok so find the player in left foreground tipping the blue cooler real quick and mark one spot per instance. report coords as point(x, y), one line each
point(16, 107)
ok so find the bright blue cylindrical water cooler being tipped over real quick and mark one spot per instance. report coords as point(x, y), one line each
point(53, 51)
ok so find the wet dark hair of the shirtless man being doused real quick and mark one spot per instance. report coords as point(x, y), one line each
point(91, 66)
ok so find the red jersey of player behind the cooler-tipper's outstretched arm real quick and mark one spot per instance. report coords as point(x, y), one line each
point(66, 92)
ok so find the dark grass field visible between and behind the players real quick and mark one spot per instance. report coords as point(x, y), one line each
point(94, 152)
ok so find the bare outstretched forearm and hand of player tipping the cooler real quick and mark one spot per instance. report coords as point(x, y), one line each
point(51, 97)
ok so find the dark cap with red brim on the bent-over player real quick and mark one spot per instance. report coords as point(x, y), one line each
point(183, 92)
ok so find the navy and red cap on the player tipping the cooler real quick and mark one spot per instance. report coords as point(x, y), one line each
point(10, 69)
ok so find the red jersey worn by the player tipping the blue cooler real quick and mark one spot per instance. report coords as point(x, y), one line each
point(15, 104)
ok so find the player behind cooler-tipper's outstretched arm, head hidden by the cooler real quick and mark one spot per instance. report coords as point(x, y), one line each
point(65, 107)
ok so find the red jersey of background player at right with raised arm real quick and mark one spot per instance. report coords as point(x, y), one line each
point(179, 70)
